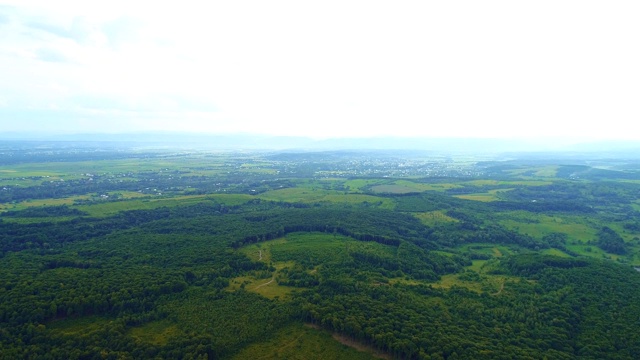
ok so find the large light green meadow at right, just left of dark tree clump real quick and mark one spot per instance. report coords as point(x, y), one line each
point(546, 225)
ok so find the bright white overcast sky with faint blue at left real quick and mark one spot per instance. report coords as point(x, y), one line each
point(322, 69)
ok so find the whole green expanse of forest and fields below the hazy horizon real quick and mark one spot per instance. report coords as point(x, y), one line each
point(160, 254)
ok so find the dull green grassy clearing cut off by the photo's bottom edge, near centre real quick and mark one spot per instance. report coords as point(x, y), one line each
point(305, 342)
